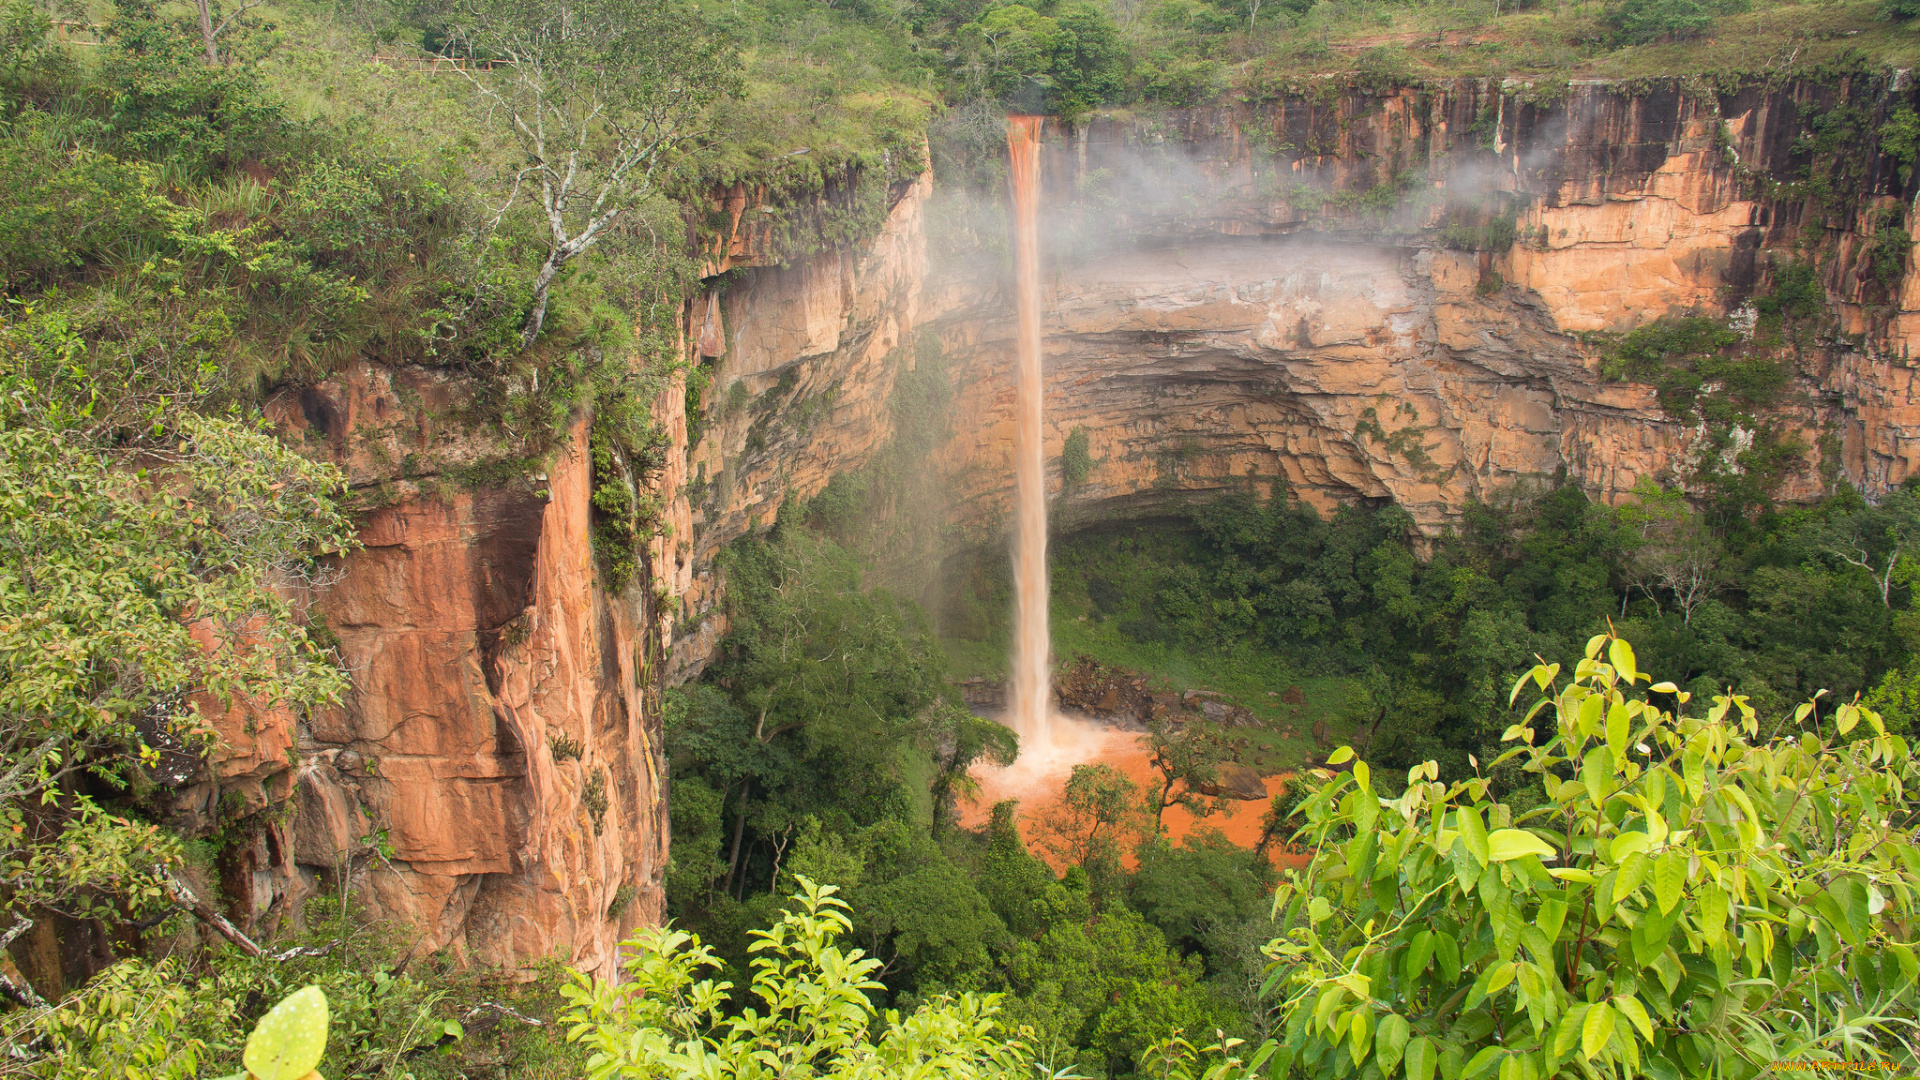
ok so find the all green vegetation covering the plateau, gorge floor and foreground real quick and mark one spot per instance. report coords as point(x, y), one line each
point(212, 205)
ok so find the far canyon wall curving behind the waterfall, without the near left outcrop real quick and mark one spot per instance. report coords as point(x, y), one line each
point(1278, 291)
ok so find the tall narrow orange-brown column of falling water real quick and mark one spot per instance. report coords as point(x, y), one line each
point(1032, 639)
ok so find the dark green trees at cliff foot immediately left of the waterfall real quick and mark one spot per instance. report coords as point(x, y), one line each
point(832, 708)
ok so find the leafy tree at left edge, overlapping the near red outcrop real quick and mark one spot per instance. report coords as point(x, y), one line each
point(133, 601)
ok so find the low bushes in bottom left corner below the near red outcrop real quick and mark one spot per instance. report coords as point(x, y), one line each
point(391, 1016)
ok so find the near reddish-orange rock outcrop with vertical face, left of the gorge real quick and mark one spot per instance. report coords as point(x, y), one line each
point(496, 777)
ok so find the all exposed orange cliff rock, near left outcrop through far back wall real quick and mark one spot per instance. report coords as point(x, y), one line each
point(1241, 293)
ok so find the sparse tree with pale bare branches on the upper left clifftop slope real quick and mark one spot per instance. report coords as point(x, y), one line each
point(598, 97)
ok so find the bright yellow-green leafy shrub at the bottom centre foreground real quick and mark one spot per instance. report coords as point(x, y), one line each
point(809, 1012)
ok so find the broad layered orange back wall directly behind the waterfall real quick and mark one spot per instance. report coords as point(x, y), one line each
point(1282, 307)
